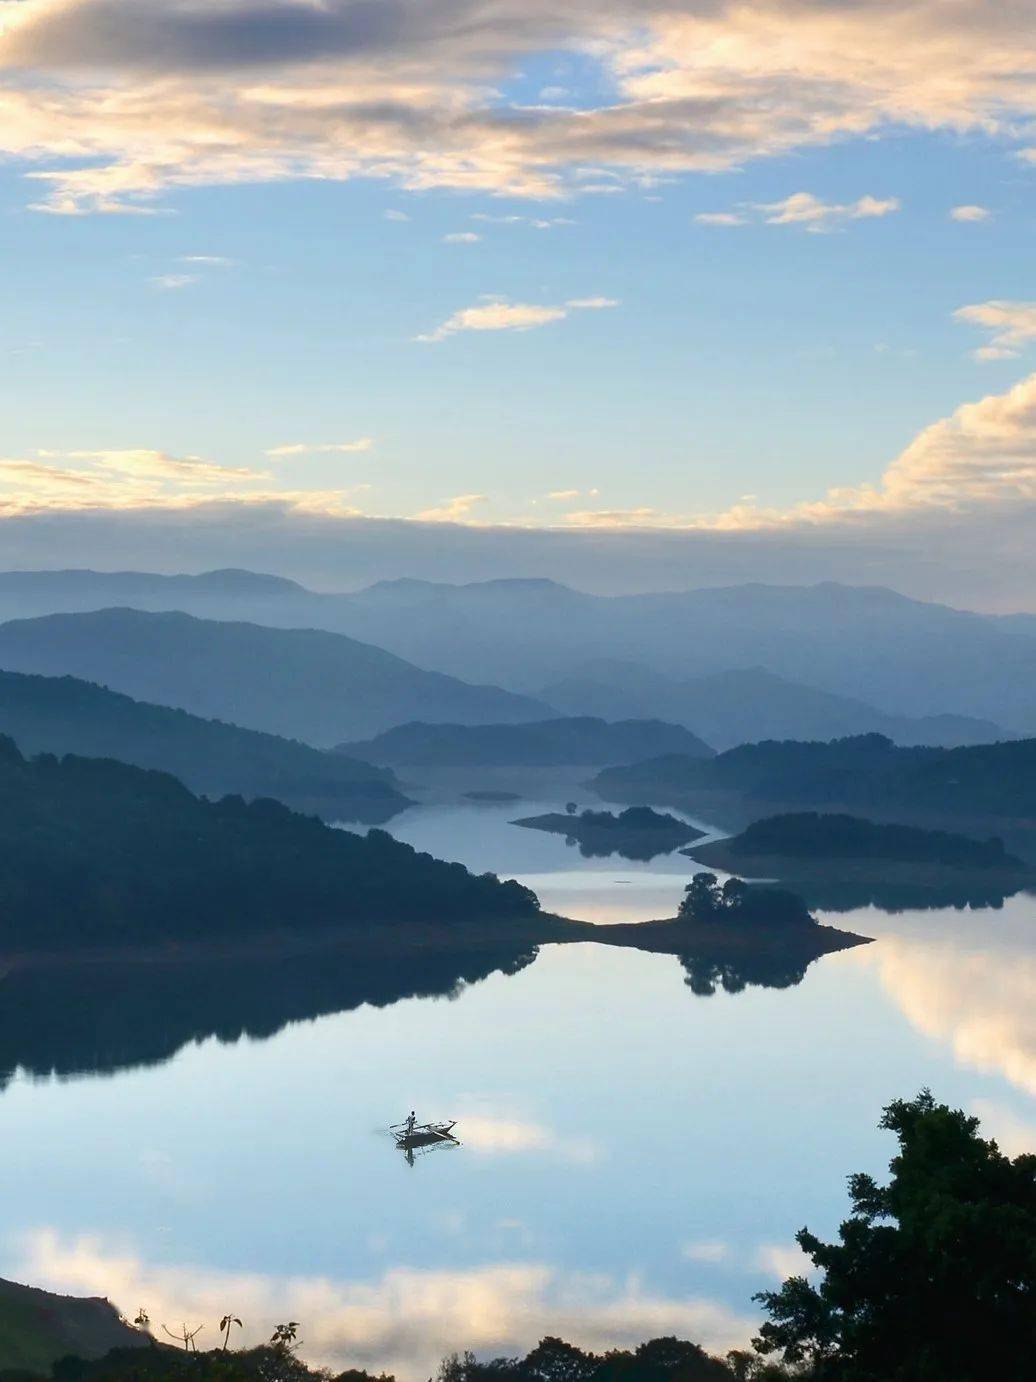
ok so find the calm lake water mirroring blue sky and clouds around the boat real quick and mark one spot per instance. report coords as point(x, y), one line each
point(636, 1159)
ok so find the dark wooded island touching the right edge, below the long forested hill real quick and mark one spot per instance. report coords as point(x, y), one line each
point(810, 848)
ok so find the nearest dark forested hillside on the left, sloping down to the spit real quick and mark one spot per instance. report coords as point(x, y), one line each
point(96, 853)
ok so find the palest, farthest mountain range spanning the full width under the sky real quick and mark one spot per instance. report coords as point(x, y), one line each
point(904, 657)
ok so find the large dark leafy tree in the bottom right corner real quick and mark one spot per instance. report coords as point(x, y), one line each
point(934, 1276)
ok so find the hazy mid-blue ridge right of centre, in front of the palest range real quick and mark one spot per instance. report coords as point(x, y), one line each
point(751, 704)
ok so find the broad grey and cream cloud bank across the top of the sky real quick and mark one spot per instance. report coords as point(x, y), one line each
point(119, 102)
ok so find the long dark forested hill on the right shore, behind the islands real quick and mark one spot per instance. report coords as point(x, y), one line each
point(997, 780)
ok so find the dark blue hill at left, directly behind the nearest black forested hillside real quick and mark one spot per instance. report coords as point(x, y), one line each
point(61, 715)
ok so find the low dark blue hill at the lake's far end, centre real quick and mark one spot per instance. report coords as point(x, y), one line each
point(571, 741)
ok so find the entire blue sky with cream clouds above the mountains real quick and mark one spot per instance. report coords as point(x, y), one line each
point(737, 291)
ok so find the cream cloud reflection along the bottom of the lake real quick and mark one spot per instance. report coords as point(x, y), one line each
point(403, 1322)
